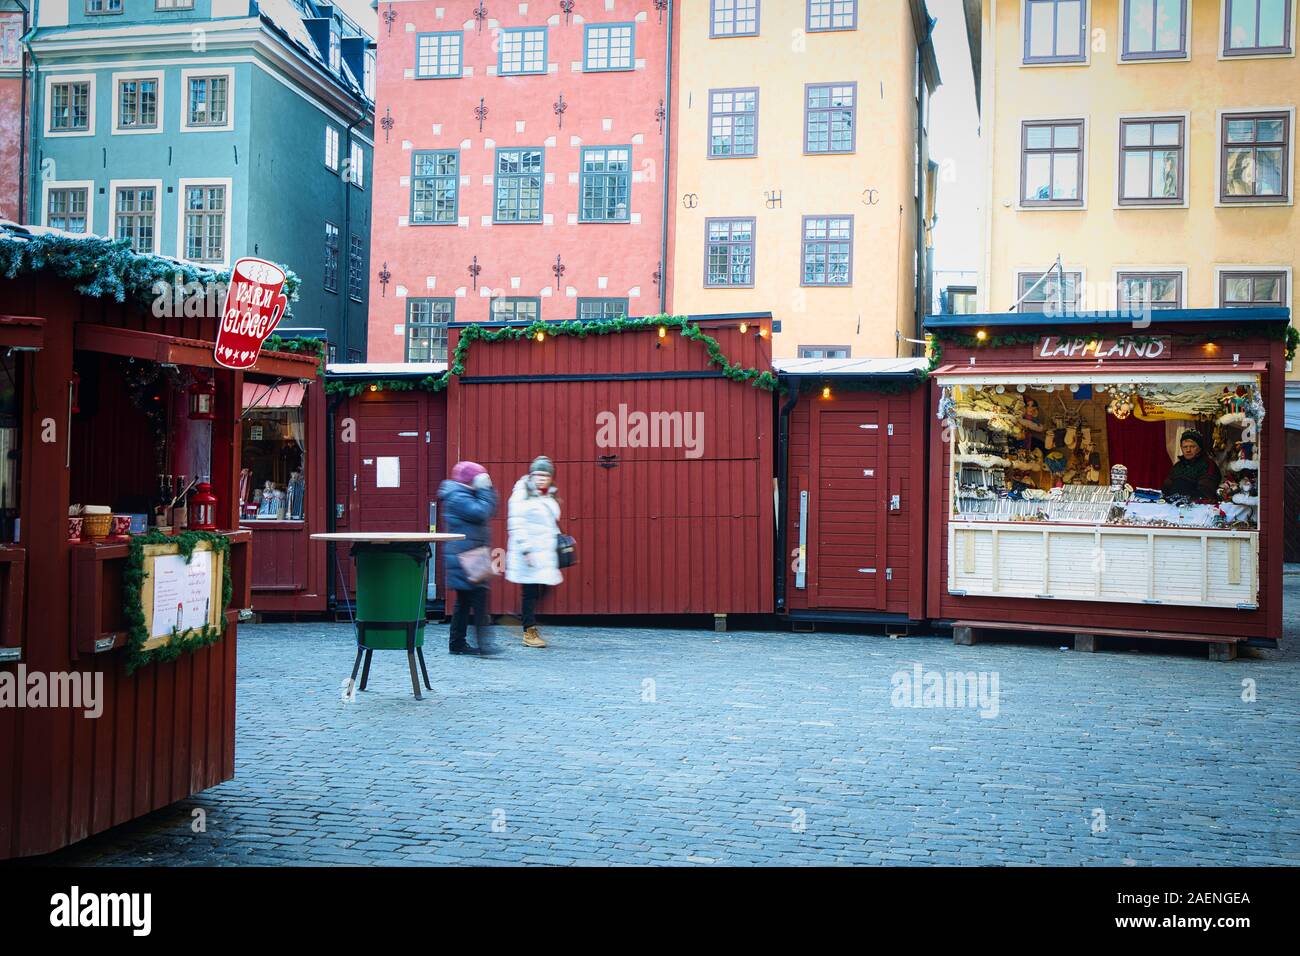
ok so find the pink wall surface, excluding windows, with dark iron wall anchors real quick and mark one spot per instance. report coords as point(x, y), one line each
point(601, 261)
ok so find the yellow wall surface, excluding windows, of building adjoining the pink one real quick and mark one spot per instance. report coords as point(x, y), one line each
point(879, 57)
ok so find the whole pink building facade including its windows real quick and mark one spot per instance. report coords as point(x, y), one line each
point(519, 166)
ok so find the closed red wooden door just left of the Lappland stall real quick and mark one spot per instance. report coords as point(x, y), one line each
point(847, 513)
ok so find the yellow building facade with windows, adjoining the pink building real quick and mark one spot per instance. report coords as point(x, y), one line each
point(800, 181)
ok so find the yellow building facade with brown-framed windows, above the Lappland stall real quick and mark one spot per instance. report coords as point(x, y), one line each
point(1149, 144)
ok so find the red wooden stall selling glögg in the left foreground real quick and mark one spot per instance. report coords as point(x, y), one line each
point(105, 404)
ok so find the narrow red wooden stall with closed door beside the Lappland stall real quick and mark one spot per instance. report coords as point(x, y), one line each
point(852, 473)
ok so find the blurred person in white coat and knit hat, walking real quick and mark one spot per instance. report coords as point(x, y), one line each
point(534, 526)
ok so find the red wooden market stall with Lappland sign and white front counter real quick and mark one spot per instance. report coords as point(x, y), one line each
point(1056, 500)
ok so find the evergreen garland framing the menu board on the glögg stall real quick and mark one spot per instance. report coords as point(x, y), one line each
point(133, 586)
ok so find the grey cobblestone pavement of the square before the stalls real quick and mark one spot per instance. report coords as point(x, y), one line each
point(697, 749)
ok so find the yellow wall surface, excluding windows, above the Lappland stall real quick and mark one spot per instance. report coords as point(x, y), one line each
point(1102, 239)
